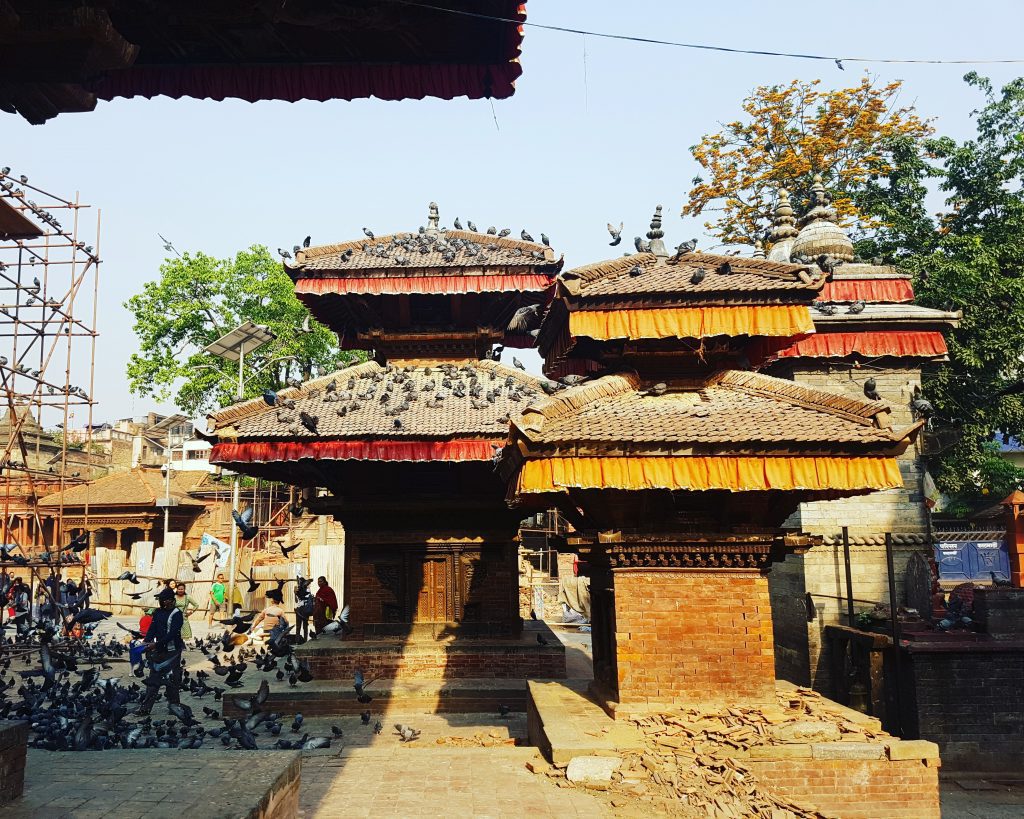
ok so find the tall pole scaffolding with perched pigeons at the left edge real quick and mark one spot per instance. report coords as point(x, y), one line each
point(50, 281)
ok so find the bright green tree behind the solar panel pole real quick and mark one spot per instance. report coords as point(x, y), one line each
point(199, 298)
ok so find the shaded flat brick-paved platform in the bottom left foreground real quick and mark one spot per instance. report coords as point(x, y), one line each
point(161, 785)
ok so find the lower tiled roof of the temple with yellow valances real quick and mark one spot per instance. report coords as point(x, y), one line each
point(727, 408)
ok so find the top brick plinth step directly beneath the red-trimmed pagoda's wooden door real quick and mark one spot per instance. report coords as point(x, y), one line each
point(332, 659)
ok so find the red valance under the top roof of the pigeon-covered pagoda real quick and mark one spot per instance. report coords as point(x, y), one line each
point(435, 285)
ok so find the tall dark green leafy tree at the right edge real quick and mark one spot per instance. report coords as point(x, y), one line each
point(974, 262)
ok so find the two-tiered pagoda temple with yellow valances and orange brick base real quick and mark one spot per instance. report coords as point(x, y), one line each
point(679, 466)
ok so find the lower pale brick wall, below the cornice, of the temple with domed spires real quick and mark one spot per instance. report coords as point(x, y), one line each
point(801, 650)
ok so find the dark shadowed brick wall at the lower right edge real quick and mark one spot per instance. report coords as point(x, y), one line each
point(969, 699)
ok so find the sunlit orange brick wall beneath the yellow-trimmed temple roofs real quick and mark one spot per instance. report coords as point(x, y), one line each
point(693, 636)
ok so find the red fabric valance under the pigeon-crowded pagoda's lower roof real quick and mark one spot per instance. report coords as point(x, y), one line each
point(276, 452)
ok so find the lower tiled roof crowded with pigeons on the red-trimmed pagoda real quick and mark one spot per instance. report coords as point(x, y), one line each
point(354, 409)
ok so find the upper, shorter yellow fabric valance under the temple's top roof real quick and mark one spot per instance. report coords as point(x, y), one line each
point(693, 323)
